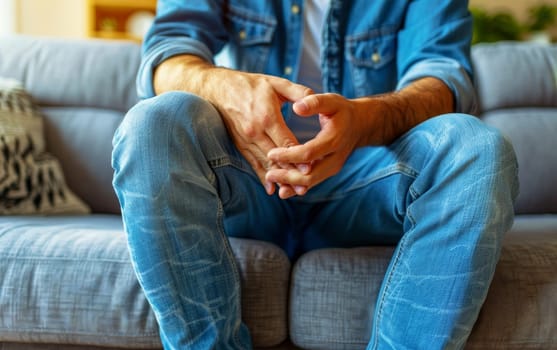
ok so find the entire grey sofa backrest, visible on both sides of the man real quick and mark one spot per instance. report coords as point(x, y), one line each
point(85, 87)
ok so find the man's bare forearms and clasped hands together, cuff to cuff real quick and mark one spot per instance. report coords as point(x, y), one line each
point(250, 106)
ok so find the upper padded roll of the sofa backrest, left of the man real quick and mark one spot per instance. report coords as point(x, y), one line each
point(66, 72)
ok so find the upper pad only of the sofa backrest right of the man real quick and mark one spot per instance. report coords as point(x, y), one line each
point(513, 74)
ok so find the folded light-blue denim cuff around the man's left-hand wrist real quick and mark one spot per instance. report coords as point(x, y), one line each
point(162, 50)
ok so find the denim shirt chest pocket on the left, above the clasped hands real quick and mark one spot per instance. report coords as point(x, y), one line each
point(251, 36)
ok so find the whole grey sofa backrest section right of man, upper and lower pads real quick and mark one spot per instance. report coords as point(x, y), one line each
point(517, 89)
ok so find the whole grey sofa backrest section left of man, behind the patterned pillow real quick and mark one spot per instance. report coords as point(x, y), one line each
point(84, 88)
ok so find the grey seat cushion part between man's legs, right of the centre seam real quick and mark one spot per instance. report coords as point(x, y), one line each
point(333, 296)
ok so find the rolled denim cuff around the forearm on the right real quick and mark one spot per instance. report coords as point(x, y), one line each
point(451, 73)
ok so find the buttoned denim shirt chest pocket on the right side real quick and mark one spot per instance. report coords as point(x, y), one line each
point(371, 59)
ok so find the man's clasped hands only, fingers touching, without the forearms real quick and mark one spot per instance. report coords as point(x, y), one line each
point(259, 131)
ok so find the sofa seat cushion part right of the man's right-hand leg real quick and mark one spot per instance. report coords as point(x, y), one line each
point(520, 312)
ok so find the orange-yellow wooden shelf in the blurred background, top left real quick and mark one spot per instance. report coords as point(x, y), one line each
point(108, 19)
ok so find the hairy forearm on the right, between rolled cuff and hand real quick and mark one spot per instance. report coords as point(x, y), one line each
point(404, 109)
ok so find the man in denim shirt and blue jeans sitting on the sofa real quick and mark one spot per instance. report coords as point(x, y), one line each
point(343, 123)
